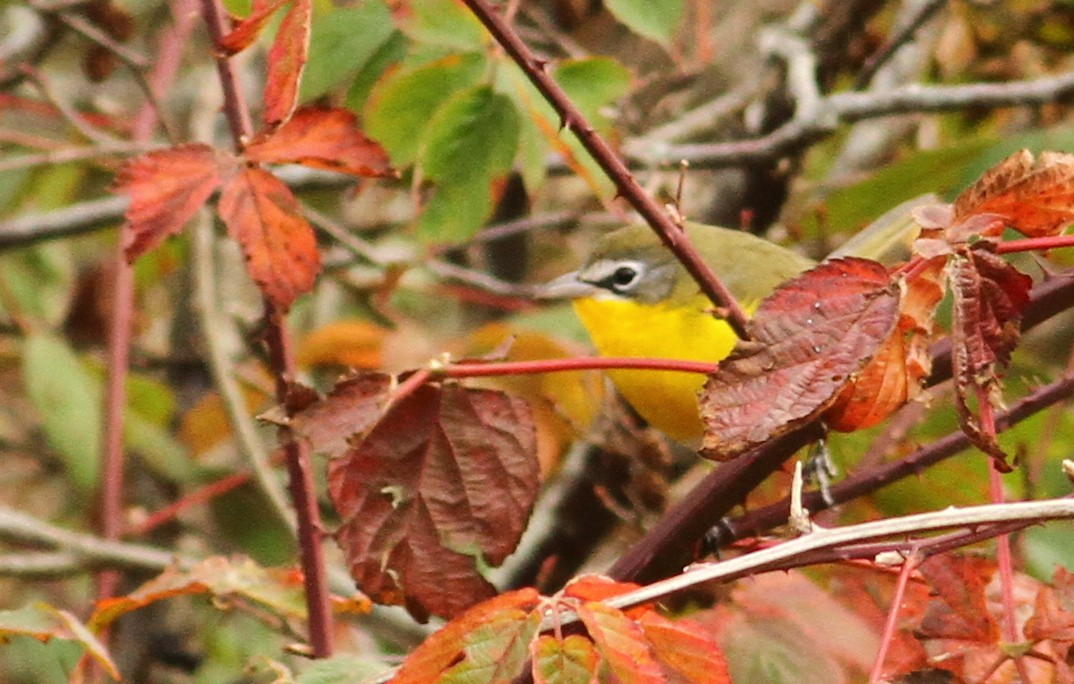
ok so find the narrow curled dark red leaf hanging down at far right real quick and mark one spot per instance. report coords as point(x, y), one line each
point(990, 297)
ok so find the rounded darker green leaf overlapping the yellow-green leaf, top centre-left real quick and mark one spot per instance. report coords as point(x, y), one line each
point(473, 138)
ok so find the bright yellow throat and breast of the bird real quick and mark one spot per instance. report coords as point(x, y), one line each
point(666, 400)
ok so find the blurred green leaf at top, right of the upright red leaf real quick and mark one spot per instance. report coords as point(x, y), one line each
point(344, 41)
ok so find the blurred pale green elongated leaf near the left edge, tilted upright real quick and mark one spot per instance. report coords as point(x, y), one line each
point(68, 399)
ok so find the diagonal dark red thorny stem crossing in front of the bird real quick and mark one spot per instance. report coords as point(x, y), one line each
point(672, 235)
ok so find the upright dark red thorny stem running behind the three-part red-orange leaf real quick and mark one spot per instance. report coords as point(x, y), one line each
point(282, 358)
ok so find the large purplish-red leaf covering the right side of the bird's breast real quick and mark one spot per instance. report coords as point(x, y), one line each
point(809, 340)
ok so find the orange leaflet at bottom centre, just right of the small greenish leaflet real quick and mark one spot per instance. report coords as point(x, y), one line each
point(621, 644)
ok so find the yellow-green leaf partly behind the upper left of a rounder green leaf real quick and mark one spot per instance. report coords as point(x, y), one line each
point(402, 105)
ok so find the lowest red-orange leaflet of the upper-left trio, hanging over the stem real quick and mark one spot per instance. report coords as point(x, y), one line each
point(280, 246)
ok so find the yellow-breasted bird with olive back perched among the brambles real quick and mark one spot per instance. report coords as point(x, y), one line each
point(635, 300)
